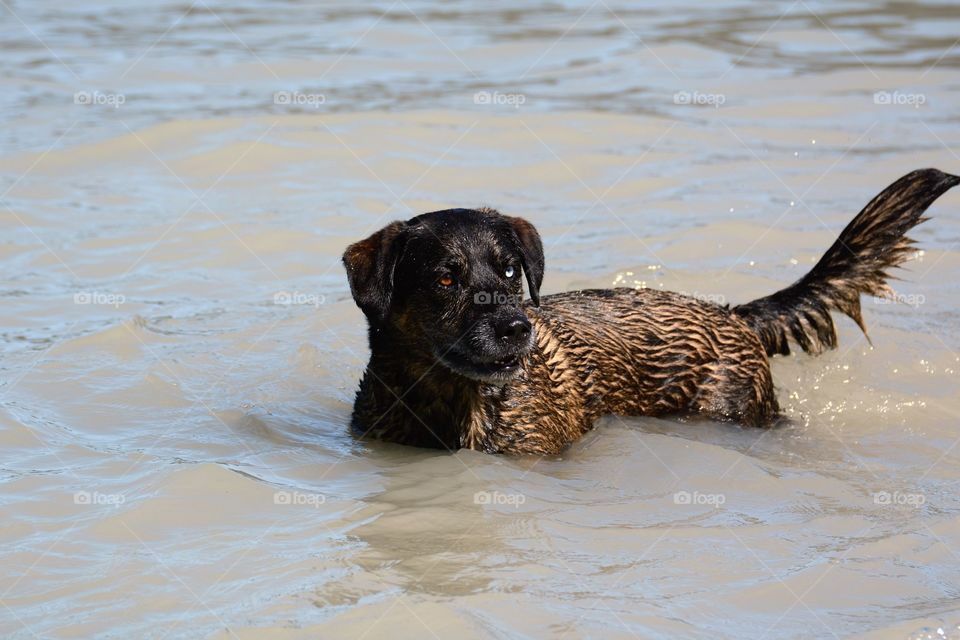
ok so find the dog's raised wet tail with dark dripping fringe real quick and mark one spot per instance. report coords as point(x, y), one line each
point(856, 264)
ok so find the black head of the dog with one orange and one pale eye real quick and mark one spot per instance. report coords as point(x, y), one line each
point(449, 282)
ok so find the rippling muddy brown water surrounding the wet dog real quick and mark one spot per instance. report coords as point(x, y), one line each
point(173, 449)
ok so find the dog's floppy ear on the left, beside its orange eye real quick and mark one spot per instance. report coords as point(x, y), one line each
point(370, 266)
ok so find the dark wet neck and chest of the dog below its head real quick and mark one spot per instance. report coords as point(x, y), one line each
point(412, 398)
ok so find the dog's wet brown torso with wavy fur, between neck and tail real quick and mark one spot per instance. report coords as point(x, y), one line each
point(627, 352)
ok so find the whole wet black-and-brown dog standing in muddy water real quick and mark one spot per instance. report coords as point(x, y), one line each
point(458, 360)
